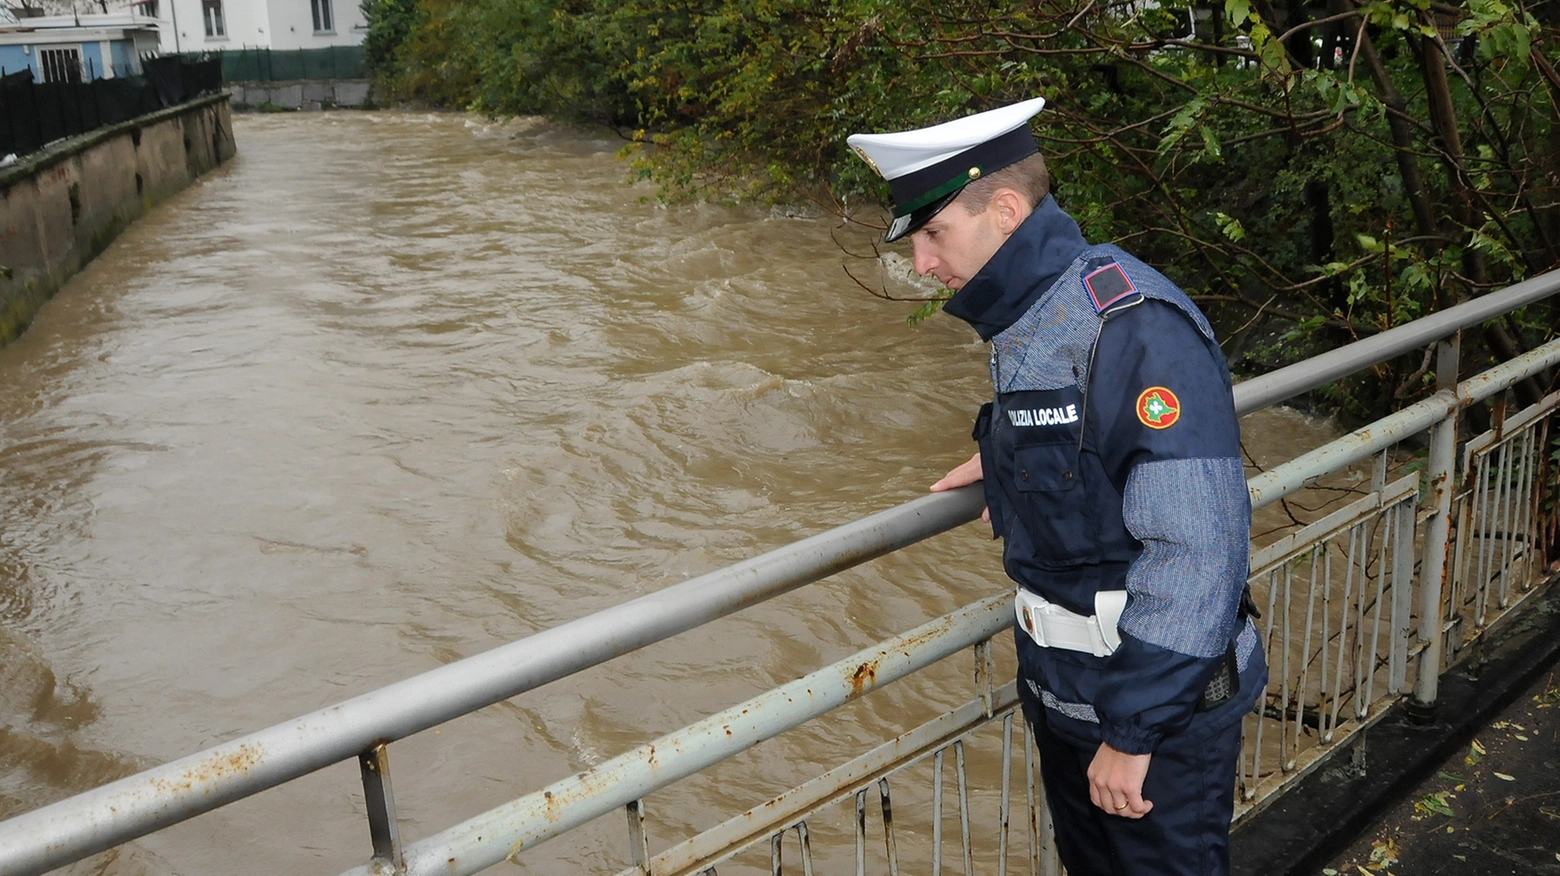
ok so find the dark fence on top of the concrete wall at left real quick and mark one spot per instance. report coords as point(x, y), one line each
point(34, 115)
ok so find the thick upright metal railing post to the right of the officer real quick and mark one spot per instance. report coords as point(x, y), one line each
point(1438, 531)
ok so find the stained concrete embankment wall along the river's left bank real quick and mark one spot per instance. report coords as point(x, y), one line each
point(63, 205)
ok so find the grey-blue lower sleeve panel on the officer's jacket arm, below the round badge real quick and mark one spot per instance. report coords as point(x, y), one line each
point(1194, 518)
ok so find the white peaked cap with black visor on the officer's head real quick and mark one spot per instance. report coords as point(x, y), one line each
point(927, 168)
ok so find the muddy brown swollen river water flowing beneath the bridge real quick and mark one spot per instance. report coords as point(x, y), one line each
point(391, 390)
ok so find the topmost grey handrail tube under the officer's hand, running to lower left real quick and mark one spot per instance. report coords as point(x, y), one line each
point(130, 808)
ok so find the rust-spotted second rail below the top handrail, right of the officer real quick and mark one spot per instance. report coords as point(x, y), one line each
point(1302, 472)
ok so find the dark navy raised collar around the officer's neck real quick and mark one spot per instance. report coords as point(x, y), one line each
point(1019, 274)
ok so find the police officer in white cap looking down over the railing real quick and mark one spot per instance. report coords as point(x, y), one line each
point(1111, 467)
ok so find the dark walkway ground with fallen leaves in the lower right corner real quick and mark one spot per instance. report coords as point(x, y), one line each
point(1472, 788)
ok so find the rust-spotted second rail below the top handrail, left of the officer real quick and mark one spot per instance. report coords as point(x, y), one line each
point(528, 822)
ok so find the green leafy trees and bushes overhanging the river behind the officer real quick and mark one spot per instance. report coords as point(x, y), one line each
point(1311, 172)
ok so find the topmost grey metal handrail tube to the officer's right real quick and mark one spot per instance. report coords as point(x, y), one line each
point(1321, 370)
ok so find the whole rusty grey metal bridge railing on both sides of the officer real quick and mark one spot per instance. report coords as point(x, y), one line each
point(363, 727)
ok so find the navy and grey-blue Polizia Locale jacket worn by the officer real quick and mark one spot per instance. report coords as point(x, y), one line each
point(1111, 456)
